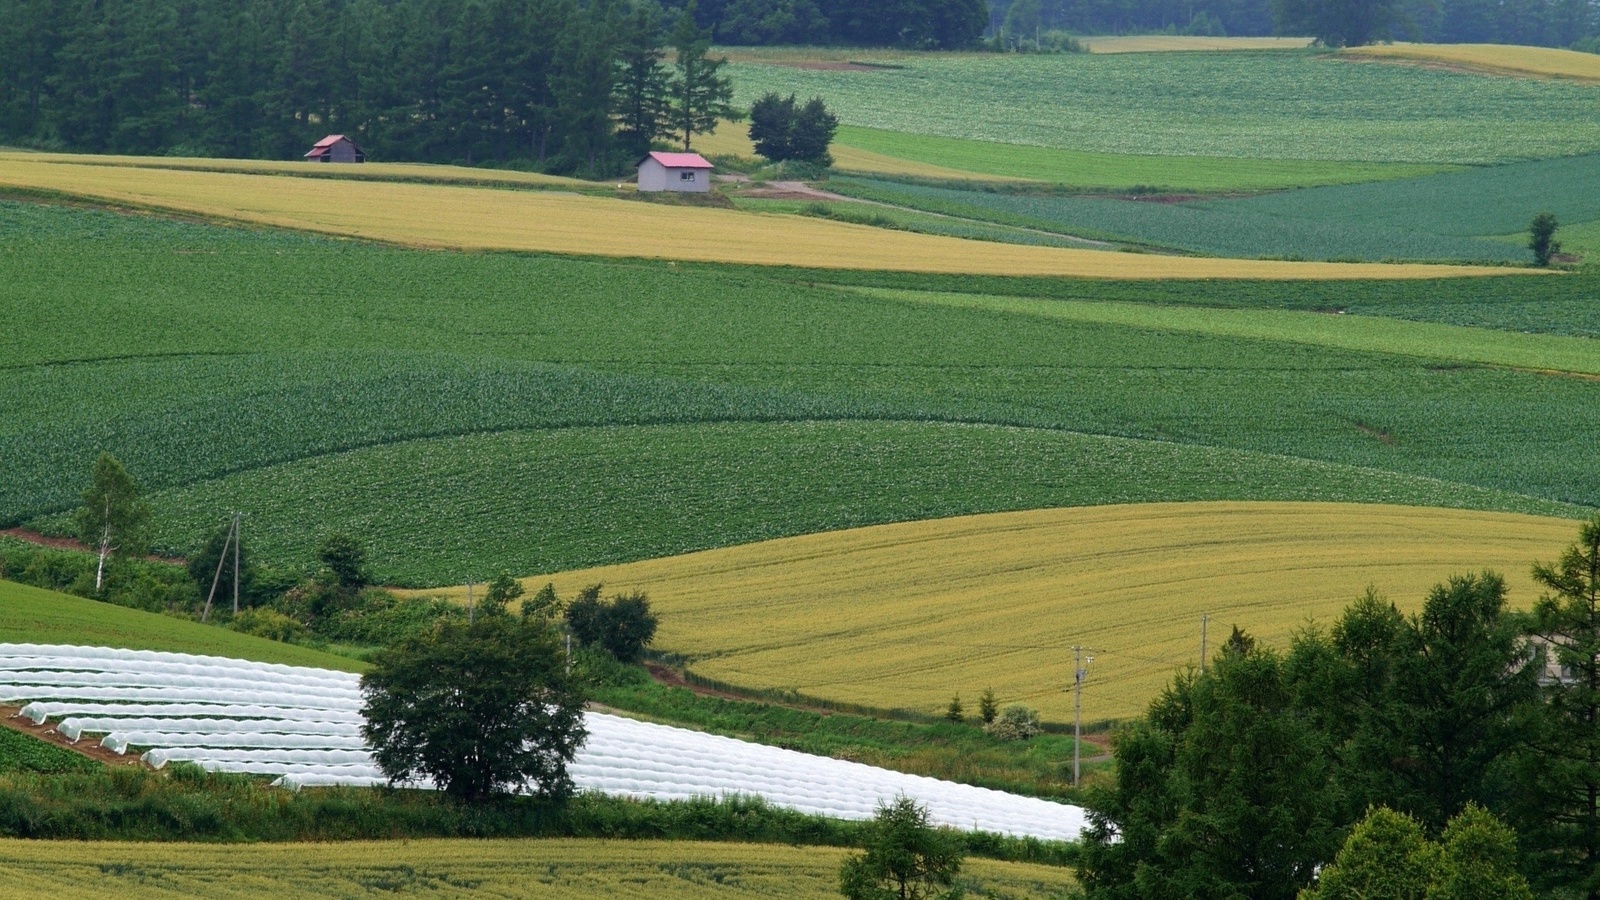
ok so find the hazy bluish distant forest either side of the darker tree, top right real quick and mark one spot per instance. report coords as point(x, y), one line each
point(1543, 23)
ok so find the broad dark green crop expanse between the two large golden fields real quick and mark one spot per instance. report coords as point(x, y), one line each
point(734, 387)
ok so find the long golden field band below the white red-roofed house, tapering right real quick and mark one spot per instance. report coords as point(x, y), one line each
point(478, 219)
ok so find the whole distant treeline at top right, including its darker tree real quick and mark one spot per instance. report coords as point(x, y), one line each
point(1546, 23)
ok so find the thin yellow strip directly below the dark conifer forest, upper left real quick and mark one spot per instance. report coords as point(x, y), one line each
point(372, 171)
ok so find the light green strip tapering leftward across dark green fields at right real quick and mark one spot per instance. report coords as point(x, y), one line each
point(1455, 344)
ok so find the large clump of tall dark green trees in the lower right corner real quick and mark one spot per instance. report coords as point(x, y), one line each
point(1246, 779)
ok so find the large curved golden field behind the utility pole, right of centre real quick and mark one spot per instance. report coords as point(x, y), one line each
point(910, 614)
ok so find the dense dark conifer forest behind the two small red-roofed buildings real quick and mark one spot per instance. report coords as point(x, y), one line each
point(564, 86)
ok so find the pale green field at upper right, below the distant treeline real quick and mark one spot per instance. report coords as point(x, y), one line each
point(1274, 106)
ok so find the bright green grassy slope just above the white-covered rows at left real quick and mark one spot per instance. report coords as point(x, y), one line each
point(30, 616)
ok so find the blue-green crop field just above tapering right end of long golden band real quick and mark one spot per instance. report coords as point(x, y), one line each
point(1438, 217)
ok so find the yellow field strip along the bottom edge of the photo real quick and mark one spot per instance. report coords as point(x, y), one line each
point(546, 870)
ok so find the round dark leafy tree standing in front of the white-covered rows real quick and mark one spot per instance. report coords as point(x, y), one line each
point(479, 709)
